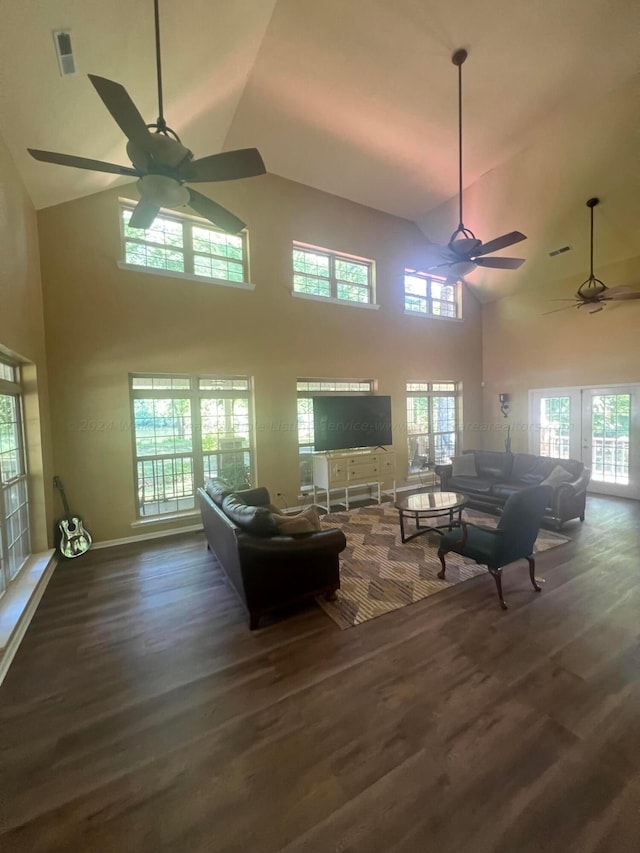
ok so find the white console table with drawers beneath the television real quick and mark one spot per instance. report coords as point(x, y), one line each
point(344, 469)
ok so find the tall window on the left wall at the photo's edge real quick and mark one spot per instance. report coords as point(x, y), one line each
point(14, 503)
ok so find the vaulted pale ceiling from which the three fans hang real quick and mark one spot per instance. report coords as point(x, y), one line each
point(358, 98)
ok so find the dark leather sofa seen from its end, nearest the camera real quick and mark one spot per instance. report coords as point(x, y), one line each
point(266, 569)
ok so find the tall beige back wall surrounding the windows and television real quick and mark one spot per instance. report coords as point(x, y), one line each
point(103, 323)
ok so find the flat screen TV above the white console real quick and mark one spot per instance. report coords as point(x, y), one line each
point(343, 422)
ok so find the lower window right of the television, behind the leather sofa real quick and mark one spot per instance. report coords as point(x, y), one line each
point(432, 424)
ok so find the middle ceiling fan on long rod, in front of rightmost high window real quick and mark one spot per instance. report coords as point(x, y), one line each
point(464, 252)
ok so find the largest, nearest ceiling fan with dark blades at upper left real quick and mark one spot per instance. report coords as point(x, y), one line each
point(160, 161)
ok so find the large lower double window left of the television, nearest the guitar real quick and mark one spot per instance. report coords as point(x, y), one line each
point(186, 430)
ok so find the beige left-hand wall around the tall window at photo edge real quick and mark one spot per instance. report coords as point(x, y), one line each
point(22, 333)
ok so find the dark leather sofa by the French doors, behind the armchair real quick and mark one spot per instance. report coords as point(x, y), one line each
point(498, 475)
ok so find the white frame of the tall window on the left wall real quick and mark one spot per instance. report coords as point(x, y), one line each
point(14, 492)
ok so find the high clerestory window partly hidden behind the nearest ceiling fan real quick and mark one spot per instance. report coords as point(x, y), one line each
point(184, 244)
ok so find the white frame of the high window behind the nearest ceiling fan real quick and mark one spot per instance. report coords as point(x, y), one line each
point(187, 222)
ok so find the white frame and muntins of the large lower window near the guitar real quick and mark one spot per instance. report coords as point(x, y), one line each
point(200, 457)
